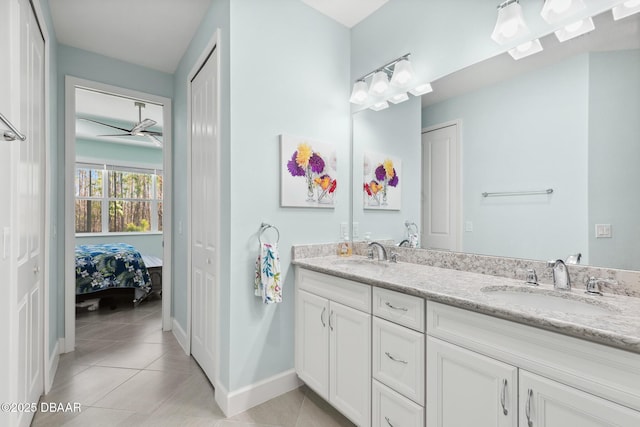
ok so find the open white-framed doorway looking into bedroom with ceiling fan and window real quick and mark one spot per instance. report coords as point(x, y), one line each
point(101, 212)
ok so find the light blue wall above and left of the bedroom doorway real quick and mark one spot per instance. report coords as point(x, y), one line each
point(98, 68)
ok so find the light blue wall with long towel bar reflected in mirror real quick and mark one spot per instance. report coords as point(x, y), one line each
point(526, 133)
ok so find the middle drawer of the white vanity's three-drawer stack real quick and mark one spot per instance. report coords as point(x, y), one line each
point(398, 359)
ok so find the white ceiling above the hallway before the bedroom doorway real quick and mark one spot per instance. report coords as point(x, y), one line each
point(151, 33)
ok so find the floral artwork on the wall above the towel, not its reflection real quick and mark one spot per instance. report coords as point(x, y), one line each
point(308, 175)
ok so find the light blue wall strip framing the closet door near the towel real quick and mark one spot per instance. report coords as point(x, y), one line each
point(217, 17)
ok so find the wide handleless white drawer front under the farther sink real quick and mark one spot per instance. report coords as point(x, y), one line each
point(347, 292)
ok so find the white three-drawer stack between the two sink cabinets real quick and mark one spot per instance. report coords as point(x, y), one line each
point(398, 359)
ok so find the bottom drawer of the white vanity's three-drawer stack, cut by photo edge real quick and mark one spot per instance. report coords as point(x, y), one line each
point(393, 409)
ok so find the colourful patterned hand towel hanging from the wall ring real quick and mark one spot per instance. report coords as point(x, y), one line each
point(267, 280)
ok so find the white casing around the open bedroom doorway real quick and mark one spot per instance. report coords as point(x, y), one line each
point(69, 169)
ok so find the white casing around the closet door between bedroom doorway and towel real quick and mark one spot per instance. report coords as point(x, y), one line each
point(214, 43)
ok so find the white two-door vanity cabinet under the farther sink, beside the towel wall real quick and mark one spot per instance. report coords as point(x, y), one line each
point(333, 341)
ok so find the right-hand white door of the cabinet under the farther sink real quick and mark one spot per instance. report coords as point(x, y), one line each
point(350, 361)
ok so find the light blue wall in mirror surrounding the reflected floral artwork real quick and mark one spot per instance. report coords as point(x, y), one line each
point(391, 132)
